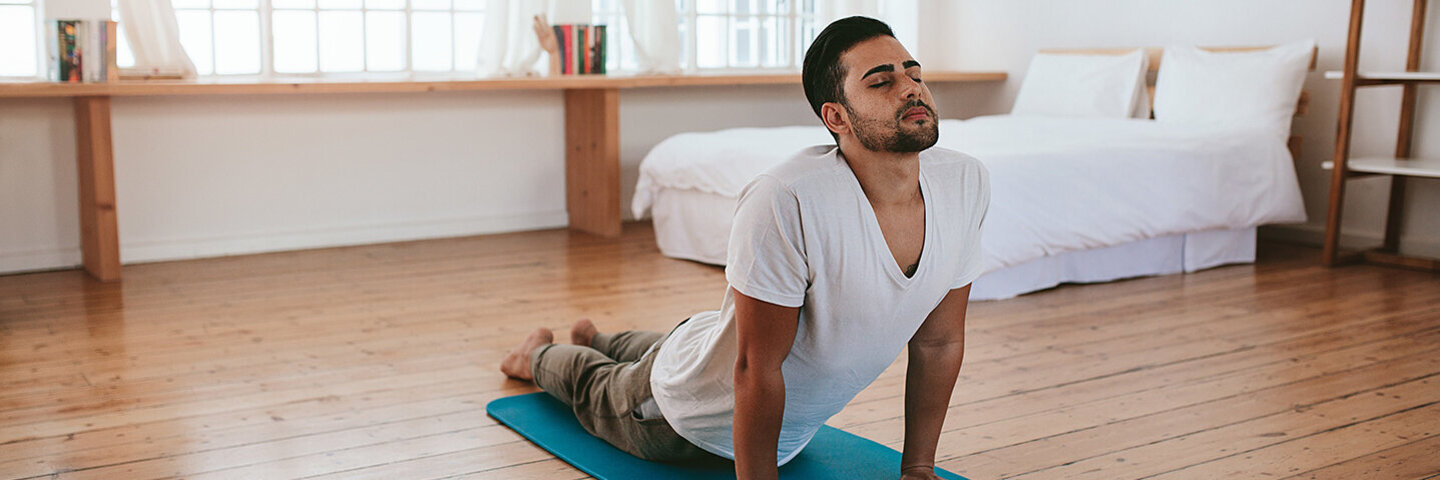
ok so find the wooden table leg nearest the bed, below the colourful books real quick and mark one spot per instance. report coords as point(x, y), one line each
point(593, 161)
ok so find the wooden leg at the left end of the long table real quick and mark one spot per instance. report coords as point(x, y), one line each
point(100, 236)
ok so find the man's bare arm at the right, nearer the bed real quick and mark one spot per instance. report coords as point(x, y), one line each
point(935, 363)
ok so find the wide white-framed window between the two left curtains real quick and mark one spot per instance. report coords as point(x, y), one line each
point(330, 37)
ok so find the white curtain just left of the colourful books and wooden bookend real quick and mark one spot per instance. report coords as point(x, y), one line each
point(509, 45)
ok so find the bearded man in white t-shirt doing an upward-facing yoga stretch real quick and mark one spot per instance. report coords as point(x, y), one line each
point(839, 260)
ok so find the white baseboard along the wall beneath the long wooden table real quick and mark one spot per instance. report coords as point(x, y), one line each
point(261, 243)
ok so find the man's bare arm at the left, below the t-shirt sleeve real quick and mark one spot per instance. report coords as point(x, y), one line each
point(765, 334)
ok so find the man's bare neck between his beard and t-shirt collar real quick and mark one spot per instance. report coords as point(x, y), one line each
point(888, 178)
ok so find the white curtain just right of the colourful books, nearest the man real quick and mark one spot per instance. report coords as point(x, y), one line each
point(656, 30)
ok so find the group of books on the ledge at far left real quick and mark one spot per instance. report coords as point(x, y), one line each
point(83, 51)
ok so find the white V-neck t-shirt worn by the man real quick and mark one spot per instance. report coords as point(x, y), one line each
point(806, 237)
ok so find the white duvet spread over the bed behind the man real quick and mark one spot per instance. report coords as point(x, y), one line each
point(1058, 185)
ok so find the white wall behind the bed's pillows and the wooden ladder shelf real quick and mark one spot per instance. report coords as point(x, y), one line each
point(1004, 34)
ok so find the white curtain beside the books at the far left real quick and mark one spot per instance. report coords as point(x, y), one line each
point(155, 37)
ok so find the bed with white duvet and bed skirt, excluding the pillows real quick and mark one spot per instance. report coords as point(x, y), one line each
point(1074, 200)
